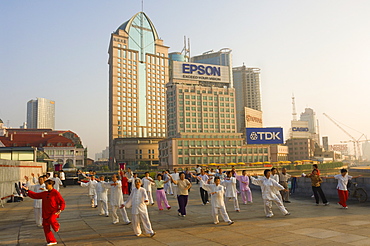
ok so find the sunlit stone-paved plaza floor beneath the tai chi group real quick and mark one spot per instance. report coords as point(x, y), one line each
point(81, 225)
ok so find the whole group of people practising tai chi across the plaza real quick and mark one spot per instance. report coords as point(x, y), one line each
point(220, 186)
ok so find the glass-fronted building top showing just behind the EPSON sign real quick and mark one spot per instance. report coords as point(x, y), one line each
point(222, 57)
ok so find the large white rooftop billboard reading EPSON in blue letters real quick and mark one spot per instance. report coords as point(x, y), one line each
point(200, 72)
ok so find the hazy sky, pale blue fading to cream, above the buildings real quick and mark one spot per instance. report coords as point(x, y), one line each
point(317, 50)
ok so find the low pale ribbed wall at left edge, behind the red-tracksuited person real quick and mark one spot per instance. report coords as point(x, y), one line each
point(14, 171)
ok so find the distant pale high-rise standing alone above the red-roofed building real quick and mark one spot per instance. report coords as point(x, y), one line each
point(41, 114)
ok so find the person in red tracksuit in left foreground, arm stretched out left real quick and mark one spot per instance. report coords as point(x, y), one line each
point(52, 205)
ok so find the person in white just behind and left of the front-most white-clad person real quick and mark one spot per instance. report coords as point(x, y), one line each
point(116, 200)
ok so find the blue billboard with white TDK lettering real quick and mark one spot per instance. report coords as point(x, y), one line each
point(265, 135)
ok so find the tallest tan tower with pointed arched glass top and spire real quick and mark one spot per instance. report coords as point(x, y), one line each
point(138, 72)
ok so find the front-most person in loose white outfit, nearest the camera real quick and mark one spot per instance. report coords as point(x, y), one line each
point(138, 201)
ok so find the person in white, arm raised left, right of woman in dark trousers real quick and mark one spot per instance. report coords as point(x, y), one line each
point(217, 193)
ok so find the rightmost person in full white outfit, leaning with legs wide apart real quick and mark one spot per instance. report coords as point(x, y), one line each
point(269, 188)
